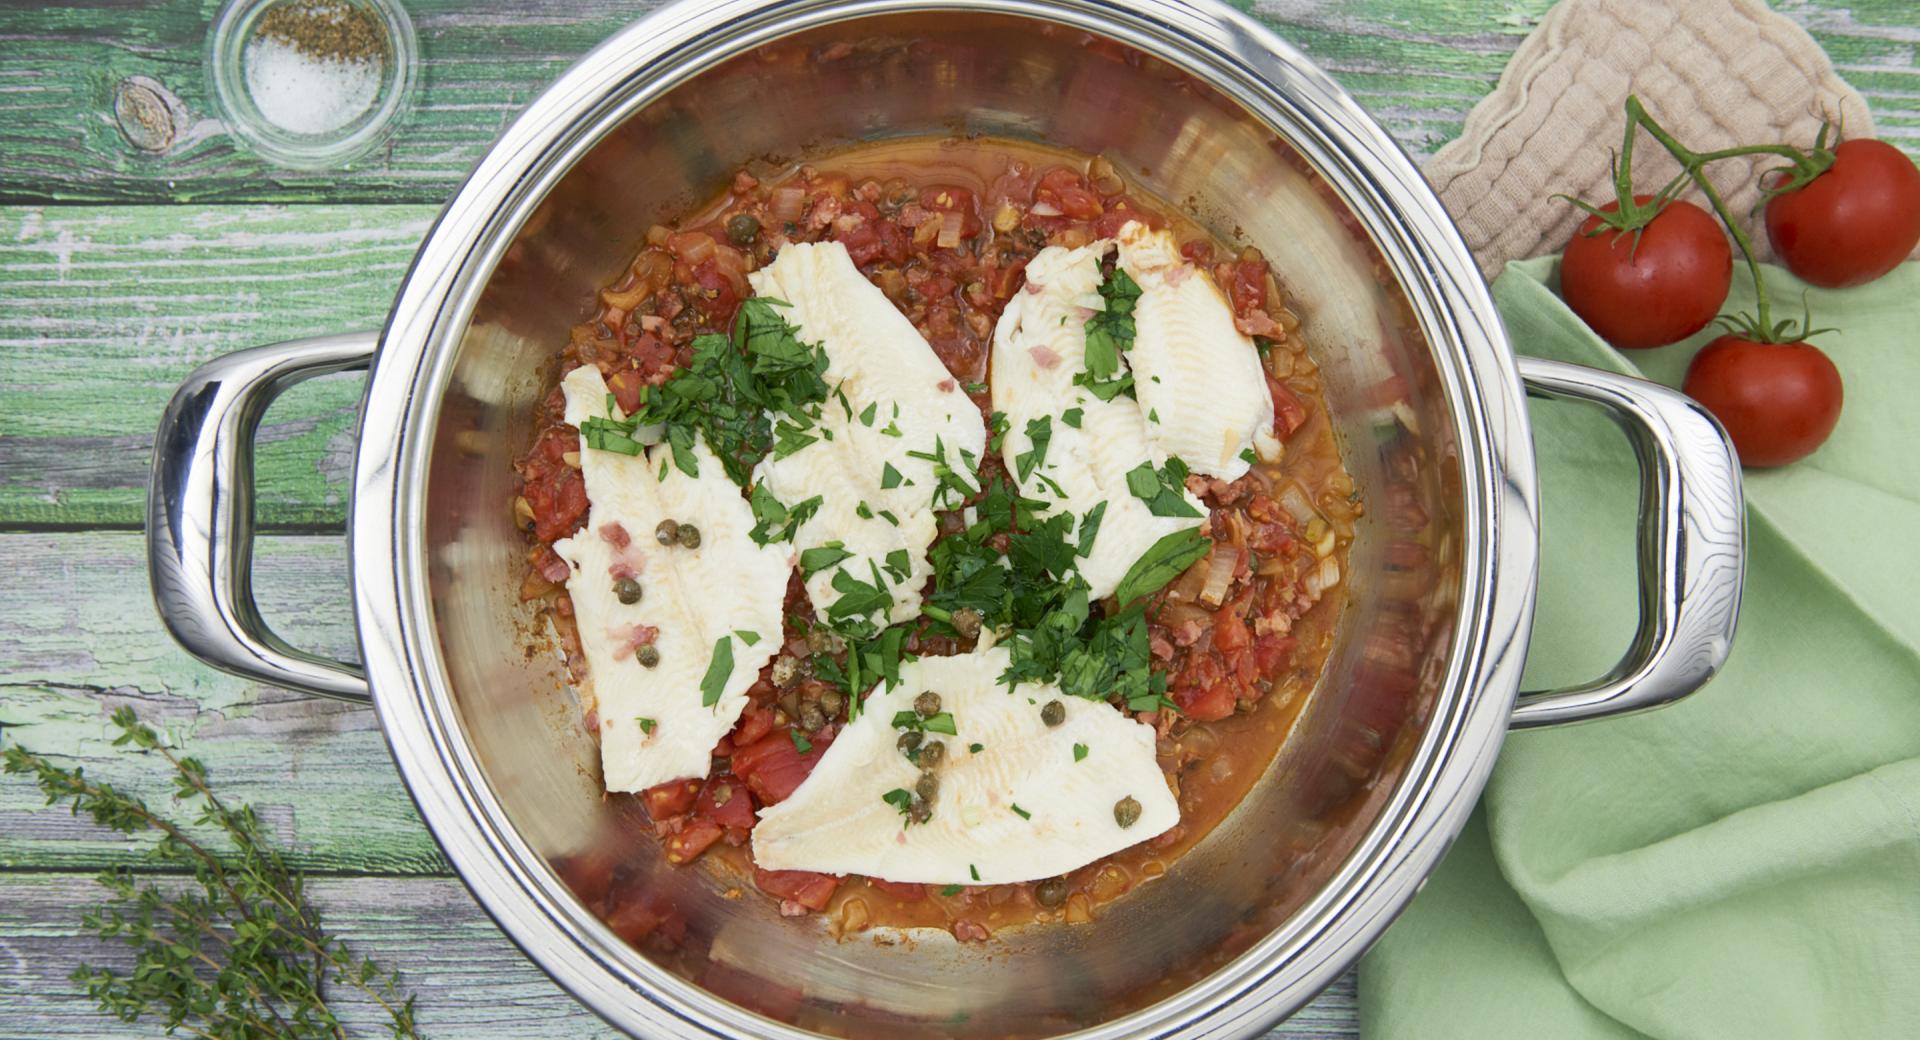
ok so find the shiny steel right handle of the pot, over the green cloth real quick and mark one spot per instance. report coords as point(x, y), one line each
point(1692, 546)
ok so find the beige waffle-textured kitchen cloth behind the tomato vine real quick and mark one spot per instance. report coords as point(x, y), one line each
point(1714, 72)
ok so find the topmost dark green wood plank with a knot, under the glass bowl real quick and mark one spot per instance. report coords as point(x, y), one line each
point(1418, 64)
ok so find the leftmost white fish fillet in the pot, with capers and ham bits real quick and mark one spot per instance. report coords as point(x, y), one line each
point(690, 600)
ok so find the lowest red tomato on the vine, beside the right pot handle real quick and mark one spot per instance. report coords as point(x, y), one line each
point(1779, 402)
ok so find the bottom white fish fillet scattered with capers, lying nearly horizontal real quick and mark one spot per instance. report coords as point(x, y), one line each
point(838, 820)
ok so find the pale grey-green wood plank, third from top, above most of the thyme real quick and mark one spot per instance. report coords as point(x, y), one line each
point(80, 640)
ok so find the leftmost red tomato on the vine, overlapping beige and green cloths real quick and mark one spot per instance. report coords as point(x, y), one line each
point(1664, 289)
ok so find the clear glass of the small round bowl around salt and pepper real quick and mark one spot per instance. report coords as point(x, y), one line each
point(237, 26)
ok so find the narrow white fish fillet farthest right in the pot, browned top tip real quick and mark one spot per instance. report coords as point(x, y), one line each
point(1191, 367)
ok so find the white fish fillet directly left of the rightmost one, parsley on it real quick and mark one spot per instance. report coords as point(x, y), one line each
point(1038, 350)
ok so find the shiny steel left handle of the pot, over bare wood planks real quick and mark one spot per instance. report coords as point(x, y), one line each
point(201, 513)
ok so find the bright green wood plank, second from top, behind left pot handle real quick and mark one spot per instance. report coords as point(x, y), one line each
point(107, 310)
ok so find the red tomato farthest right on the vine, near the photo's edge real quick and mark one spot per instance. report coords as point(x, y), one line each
point(1856, 222)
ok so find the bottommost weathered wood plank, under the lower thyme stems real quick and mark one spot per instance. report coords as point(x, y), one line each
point(469, 980)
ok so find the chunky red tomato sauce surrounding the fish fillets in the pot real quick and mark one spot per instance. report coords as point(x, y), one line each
point(946, 231)
